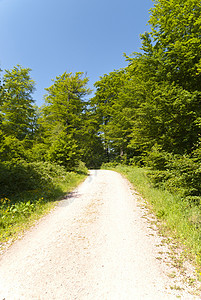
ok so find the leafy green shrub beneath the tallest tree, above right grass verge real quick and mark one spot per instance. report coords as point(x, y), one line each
point(176, 173)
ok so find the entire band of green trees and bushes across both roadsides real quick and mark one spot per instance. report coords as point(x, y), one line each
point(147, 114)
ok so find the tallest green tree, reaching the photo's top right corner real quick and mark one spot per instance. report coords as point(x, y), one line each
point(165, 79)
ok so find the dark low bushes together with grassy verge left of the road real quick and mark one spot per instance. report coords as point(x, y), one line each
point(31, 190)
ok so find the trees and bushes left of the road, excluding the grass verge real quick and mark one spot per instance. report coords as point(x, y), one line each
point(61, 135)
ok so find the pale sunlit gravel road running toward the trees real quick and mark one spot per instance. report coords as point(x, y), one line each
point(96, 244)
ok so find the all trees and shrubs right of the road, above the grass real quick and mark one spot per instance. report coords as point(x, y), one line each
point(150, 112)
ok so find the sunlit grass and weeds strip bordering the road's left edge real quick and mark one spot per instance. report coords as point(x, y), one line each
point(20, 211)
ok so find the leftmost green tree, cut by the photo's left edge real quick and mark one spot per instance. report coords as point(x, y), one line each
point(17, 104)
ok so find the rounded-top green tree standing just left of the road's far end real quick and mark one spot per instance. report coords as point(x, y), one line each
point(63, 118)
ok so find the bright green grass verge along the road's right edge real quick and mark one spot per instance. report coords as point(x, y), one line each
point(177, 218)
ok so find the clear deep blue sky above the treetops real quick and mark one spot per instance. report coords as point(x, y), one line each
point(52, 37)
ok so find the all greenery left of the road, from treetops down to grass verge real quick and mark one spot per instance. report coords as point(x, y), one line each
point(41, 150)
